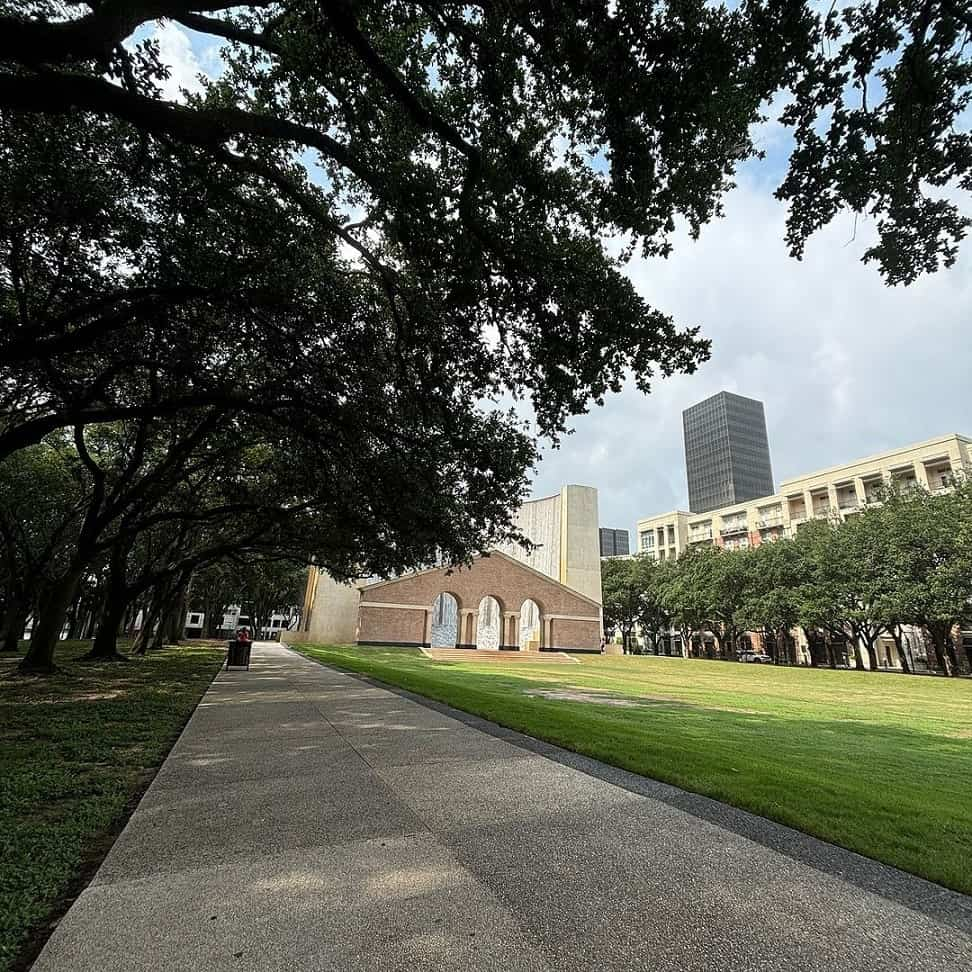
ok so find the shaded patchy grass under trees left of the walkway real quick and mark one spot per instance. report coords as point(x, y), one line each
point(76, 748)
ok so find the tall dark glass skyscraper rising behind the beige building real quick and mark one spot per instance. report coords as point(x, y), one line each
point(726, 452)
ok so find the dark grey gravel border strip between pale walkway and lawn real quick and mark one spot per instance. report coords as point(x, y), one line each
point(912, 892)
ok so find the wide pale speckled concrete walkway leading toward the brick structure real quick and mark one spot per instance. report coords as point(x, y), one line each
point(309, 820)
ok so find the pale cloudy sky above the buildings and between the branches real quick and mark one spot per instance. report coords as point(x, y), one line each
point(844, 365)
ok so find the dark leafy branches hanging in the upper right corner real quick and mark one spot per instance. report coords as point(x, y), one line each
point(879, 113)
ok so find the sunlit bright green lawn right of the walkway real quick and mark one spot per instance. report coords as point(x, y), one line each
point(881, 764)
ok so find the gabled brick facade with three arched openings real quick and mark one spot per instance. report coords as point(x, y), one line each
point(400, 611)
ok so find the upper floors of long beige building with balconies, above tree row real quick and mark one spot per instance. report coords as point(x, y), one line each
point(839, 491)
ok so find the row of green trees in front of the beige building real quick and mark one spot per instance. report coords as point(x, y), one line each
point(904, 561)
